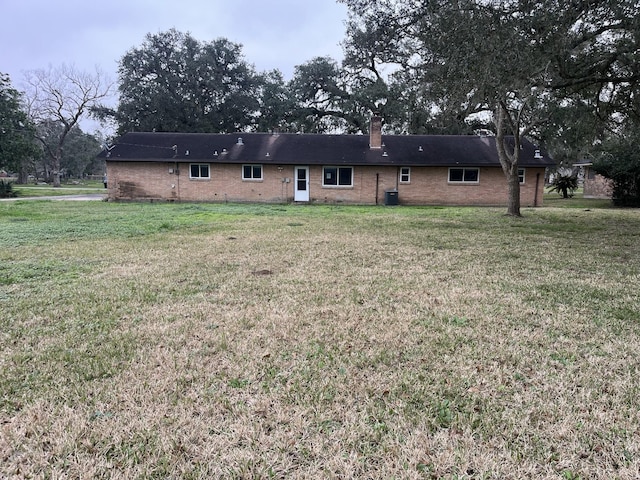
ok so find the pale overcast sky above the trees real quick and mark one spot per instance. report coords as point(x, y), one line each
point(274, 33)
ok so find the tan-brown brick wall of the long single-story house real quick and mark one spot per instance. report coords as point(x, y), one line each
point(427, 186)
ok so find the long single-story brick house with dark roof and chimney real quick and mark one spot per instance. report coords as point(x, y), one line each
point(318, 168)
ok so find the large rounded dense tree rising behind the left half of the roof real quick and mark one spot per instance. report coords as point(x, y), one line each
point(173, 82)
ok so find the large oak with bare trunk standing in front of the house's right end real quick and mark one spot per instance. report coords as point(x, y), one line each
point(515, 60)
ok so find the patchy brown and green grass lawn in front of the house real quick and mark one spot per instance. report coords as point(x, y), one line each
point(256, 341)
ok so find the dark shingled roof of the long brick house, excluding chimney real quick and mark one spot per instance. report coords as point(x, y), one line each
point(315, 149)
